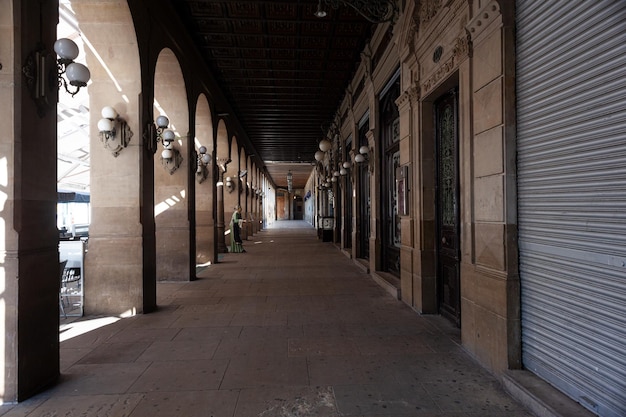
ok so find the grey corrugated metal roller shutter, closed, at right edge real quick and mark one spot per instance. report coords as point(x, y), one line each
point(571, 121)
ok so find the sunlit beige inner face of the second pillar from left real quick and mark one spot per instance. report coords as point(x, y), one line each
point(113, 273)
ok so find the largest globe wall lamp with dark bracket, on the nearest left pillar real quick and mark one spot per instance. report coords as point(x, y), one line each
point(42, 78)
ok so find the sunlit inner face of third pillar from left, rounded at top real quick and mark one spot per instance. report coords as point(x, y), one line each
point(171, 182)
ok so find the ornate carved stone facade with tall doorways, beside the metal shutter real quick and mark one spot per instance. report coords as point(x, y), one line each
point(476, 40)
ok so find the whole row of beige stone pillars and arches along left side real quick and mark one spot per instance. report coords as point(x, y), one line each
point(151, 219)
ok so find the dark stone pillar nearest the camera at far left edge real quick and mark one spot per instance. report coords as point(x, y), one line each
point(29, 258)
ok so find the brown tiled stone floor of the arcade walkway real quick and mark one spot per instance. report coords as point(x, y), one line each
point(290, 328)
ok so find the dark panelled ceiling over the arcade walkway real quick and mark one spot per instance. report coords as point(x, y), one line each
point(283, 70)
